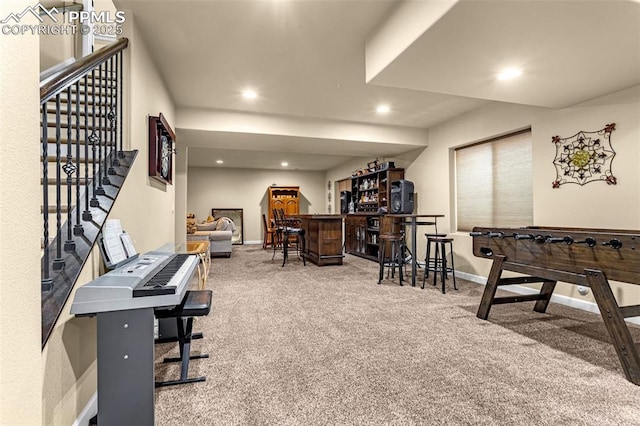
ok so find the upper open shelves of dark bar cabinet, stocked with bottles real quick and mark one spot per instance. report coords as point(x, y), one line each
point(371, 192)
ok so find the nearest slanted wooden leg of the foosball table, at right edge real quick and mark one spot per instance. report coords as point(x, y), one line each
point(615, 324)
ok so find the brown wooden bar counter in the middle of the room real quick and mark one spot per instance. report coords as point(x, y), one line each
point(323, 238)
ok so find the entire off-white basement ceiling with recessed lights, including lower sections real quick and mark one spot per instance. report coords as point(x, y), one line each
point(306, 58)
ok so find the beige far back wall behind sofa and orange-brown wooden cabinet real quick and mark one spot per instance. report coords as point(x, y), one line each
point(247, 189)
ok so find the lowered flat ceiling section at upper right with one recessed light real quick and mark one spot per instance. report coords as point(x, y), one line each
point(569, 51)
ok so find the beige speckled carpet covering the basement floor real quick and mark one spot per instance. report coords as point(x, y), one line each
point(328, 346)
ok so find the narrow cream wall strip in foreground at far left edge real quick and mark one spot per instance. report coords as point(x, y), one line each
point(20, 221)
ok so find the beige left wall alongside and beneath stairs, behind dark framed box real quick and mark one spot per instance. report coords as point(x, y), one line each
point(145, 208)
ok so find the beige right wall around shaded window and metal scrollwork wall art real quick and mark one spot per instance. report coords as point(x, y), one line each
point(593, 205)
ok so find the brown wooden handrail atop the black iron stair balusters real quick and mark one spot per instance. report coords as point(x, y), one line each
point(78, 69)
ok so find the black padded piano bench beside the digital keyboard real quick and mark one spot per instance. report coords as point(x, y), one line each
point(196, 303)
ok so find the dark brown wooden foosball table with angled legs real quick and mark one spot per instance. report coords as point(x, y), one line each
point(586, 257)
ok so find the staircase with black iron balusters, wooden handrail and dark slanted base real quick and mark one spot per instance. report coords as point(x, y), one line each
point(83, 167)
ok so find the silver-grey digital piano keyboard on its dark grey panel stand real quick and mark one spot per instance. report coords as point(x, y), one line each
point(125, 333)
